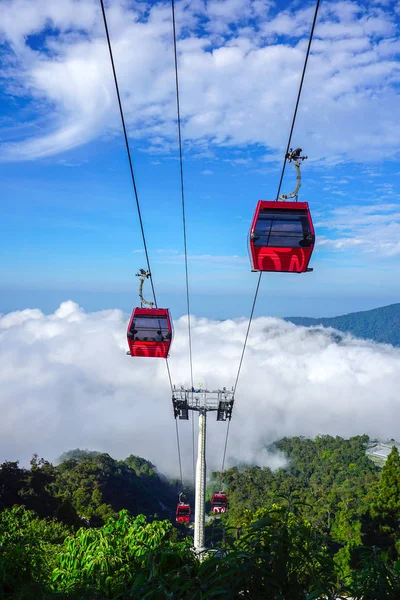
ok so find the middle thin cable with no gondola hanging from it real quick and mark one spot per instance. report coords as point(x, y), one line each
point(178, 110)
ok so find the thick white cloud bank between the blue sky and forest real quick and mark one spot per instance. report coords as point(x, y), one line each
point(66, 382)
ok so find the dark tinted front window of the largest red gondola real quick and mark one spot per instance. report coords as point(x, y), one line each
point(282, 229)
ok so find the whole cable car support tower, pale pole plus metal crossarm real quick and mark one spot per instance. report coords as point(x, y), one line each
point(202, 401)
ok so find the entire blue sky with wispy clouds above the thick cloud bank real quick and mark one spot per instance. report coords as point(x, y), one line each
point(69, 229)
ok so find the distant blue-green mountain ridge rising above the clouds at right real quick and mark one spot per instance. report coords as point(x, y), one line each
point(379, 324)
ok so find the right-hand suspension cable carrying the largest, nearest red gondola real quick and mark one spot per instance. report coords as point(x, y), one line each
point(277, 196)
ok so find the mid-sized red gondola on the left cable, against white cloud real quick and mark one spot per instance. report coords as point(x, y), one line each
point(150, 332)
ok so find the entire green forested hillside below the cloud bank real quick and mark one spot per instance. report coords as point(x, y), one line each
point(326, 526)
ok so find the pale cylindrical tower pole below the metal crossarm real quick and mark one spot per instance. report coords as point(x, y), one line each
point(200, 495)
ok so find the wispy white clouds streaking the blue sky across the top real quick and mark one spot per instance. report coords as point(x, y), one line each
point(240, 63)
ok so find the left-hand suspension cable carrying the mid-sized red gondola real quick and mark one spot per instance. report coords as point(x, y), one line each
point(134, 185)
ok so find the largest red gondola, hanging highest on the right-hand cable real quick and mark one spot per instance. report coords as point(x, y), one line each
point(281, 237)
